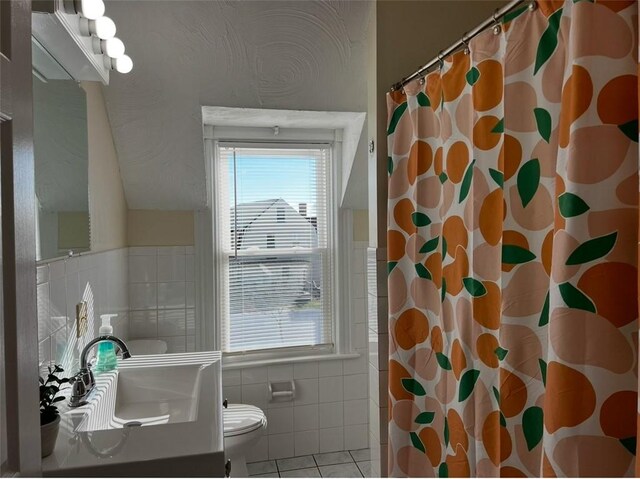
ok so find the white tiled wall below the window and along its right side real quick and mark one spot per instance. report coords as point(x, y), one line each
point(331, 409)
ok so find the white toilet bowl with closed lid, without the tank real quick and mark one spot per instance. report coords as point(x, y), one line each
point(243, 426)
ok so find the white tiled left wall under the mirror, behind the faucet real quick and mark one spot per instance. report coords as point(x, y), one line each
point(98, 278)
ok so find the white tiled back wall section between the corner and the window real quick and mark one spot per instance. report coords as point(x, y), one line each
point(162, 295)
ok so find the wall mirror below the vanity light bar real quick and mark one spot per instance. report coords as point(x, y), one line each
point(61, 160)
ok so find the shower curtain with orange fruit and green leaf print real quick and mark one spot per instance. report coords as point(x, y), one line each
point(513, 251)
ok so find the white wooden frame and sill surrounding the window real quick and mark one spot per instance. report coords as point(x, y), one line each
point(341, 234)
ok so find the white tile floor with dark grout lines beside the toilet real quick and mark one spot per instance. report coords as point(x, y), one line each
point(329, 464)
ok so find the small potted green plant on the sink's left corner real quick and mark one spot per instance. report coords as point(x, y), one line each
point(49, 415)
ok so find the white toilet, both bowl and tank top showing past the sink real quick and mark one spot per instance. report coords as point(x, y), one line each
point(243, 424)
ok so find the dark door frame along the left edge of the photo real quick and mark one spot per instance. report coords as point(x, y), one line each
point(17, 185)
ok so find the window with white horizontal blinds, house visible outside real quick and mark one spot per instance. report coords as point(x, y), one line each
point(274, 247)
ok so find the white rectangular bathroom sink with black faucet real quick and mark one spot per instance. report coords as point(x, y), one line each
point(152, 409)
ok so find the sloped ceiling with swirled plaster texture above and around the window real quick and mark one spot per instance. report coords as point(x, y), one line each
point(298, 55)
